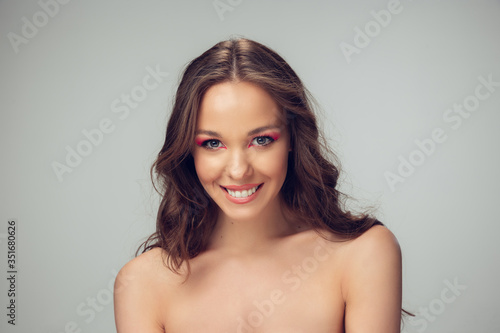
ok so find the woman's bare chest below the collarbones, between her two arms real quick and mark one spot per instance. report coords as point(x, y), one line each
point(287, 297)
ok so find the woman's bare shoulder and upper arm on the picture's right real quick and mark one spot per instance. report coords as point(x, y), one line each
point(372, 282)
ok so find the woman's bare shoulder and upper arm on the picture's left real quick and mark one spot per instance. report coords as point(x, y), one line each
point(141, 292)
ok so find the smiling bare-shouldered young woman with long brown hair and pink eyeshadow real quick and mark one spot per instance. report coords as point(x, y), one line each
point(251, 231)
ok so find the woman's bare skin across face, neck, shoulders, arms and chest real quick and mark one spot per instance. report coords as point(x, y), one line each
point(262, 271)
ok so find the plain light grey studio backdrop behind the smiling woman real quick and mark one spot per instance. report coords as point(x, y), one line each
point(410, 97)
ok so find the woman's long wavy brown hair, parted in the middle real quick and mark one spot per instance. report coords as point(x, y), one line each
point(187, 214)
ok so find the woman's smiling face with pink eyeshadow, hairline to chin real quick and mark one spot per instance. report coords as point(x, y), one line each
point(241, 149)
